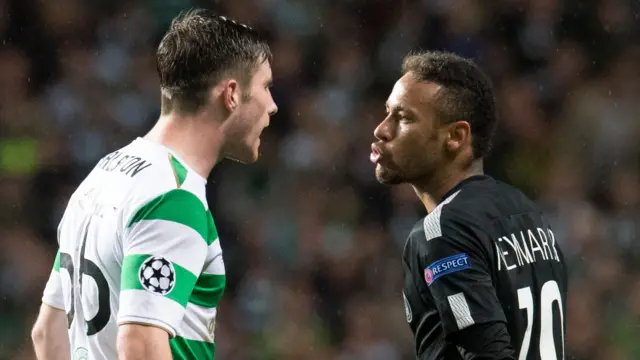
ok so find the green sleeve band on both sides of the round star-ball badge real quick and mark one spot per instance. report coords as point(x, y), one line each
point(130, 279)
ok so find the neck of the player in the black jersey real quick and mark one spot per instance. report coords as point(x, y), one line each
point(432, 191)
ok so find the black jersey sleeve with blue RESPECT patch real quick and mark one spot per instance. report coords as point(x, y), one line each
point(457, 272)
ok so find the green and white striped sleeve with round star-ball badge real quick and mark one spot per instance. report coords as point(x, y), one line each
point(164, 246)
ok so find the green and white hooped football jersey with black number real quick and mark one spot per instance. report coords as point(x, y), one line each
point(138, 244)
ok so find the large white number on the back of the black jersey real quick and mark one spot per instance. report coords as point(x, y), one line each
point(549, 294)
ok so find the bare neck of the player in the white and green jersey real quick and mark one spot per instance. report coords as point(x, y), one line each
point(196, 141)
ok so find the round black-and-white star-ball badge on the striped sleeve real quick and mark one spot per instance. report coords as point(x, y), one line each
point(157, 275)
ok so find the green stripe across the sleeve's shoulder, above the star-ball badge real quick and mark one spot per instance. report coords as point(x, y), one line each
point(178, 206)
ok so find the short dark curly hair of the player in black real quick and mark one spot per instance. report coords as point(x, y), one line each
point(466, 94)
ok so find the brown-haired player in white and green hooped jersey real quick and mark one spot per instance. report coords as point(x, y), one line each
point(139, 271)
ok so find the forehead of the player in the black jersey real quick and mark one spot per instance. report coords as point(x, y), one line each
point(410, 94)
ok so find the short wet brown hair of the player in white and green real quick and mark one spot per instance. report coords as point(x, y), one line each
point(200, 49)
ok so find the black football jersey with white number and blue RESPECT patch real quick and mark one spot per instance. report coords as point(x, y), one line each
point(485, 254)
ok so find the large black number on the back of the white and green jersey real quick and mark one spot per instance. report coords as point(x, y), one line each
point(88, 268)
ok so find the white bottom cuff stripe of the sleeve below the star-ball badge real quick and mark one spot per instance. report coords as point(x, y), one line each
point(145, 307)
